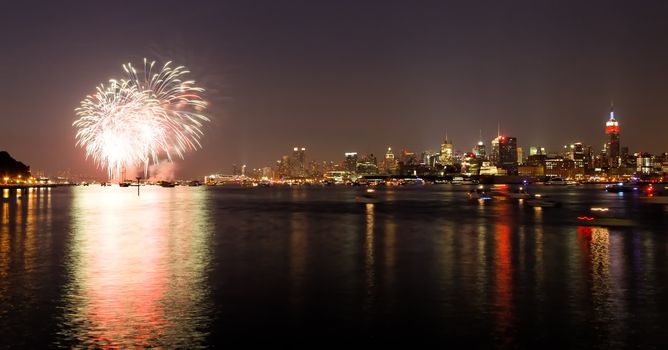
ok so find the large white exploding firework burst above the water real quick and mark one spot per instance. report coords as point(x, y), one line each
point(139, 119)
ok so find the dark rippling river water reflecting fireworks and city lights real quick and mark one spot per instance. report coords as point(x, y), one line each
point(190, 267)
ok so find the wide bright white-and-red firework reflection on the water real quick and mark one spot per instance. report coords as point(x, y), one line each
point(138, 269)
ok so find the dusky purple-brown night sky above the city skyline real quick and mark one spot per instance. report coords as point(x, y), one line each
point(339, 76)
